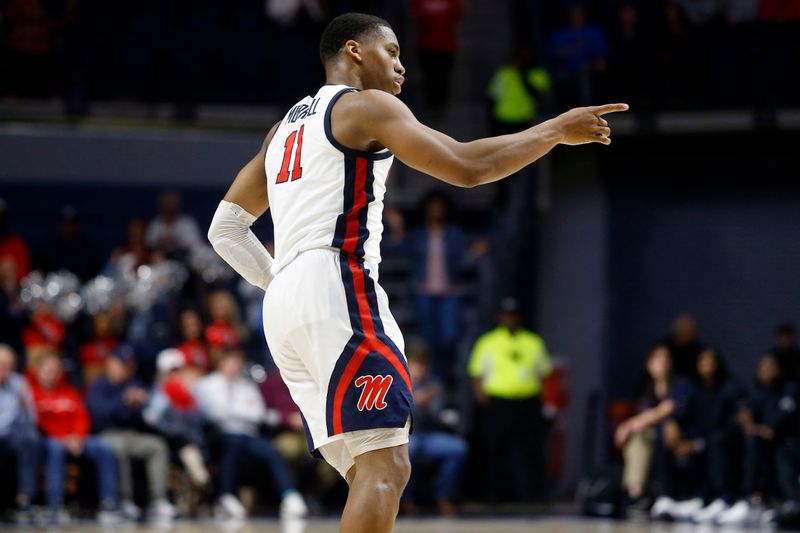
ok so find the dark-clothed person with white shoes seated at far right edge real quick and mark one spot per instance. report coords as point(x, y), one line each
point(767, 420)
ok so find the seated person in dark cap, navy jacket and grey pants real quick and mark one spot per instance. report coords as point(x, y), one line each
point(116, 401)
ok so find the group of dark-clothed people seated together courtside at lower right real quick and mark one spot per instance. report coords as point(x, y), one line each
point(701, 446)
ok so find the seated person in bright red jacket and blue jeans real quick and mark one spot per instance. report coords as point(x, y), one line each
point(64, 423)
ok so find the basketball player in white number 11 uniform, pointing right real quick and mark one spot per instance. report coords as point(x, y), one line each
point(322, 171)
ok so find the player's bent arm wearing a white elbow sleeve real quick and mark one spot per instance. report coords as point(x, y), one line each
point(230, 232)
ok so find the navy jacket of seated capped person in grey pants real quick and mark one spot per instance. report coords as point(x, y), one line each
point(108, 408)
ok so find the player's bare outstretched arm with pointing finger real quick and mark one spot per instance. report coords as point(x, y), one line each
point(384, 119)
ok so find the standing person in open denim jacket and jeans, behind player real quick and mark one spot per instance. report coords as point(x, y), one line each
point(440, 252)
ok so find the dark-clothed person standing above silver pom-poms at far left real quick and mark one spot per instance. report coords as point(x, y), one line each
point(69, 249)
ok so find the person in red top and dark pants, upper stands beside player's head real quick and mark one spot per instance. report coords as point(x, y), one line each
point(437, 45)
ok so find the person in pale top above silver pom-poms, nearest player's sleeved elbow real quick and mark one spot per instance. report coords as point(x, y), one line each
point(171, 231)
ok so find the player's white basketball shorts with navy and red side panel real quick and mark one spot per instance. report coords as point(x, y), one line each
point(340, 353)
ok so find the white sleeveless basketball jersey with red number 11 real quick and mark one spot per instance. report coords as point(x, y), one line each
point(322, 194)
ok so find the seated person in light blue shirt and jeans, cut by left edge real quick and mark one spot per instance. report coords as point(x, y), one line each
point(18, 437)
